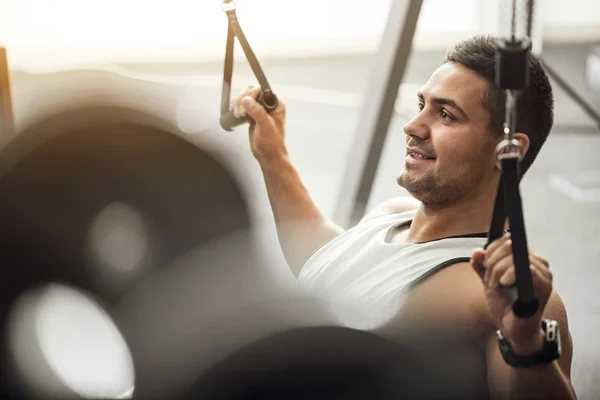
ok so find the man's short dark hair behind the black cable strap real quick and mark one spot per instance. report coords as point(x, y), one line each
point(535, 112)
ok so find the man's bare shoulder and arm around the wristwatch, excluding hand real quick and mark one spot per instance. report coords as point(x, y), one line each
point(465, 310)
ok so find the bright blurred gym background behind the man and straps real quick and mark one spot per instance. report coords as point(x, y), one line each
point(320, 59)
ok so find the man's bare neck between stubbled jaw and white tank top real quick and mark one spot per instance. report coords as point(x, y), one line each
point(466, 217)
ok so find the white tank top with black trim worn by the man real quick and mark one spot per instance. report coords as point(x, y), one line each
point(363, 270)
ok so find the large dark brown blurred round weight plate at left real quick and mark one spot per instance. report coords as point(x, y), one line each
point(98, 191)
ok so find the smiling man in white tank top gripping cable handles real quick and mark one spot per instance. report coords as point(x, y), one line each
point(437, 238)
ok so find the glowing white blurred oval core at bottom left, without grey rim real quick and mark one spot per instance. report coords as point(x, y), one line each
point(82, 345)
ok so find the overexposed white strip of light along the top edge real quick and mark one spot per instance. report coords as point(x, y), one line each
point(41, 32)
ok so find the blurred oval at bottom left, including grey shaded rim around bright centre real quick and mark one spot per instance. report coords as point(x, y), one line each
point(62, 341)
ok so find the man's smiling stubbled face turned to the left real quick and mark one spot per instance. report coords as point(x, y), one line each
point(452, 131)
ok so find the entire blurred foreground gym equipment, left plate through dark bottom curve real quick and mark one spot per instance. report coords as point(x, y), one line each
point(130, 266)
